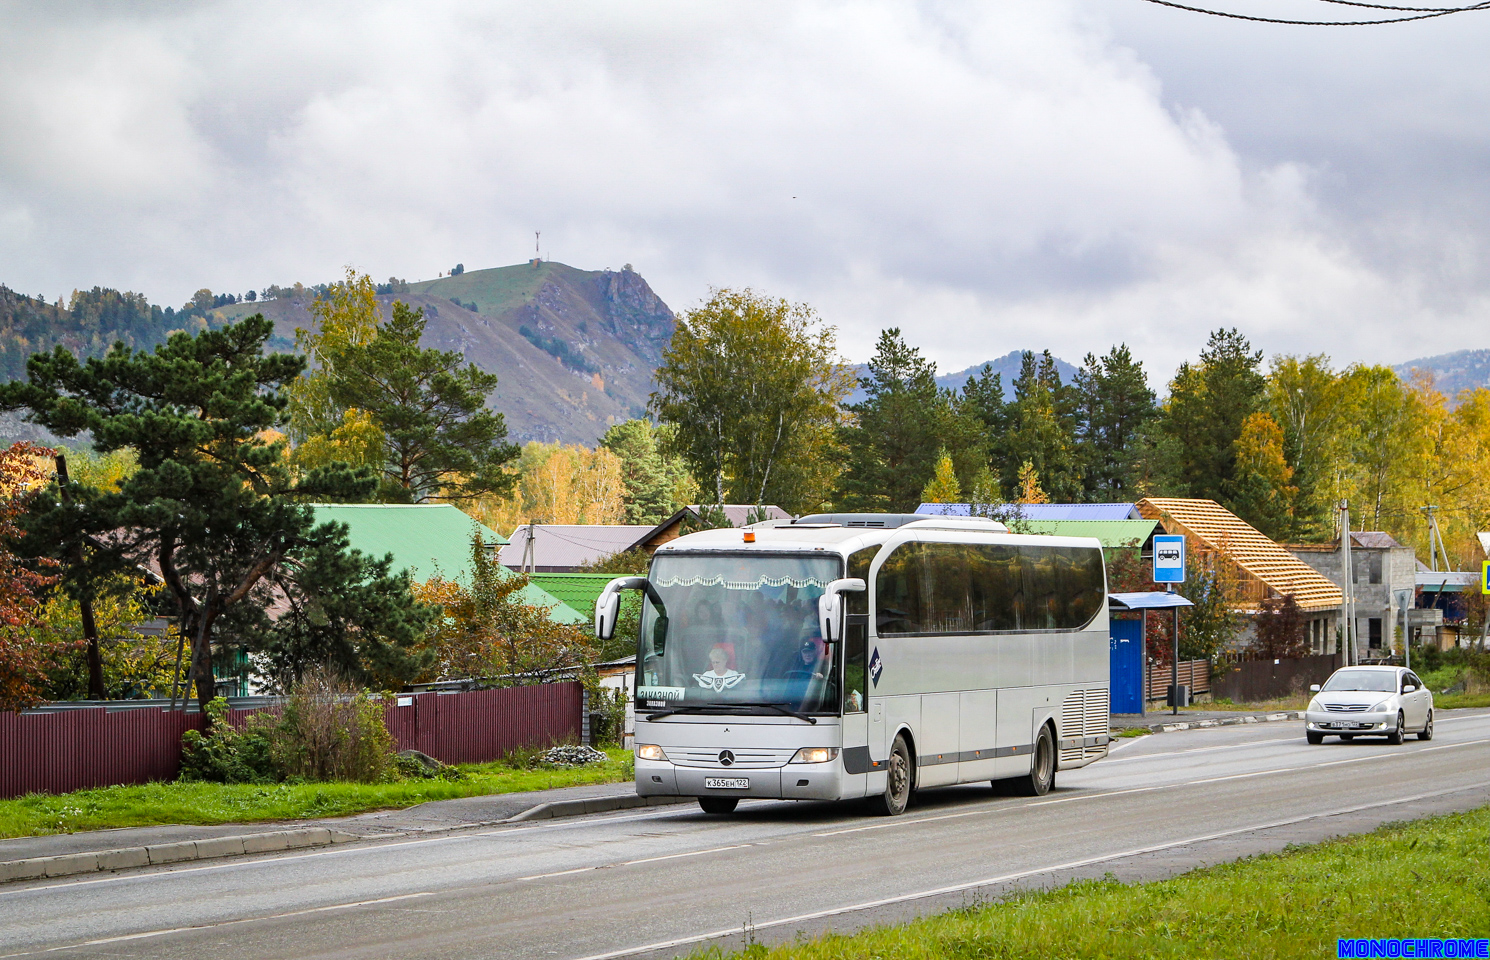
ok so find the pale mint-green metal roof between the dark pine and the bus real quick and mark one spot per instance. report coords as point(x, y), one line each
point(428, 540)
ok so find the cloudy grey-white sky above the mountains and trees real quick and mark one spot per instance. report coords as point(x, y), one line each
point(989, 175)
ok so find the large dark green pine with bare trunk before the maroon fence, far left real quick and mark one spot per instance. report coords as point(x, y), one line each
point(214, 505)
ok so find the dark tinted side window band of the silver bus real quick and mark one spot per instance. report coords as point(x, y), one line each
point(938, 588)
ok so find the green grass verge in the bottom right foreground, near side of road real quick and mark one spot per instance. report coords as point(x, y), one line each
point(1424, 879)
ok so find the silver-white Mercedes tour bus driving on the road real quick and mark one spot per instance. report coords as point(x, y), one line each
point(866, 657)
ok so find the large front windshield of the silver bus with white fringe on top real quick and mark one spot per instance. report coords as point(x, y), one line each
point(738, 630)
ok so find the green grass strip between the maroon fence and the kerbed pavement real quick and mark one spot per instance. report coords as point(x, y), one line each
point(156, 804)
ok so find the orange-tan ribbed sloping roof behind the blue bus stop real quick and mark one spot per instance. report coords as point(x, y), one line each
point(1257, 557)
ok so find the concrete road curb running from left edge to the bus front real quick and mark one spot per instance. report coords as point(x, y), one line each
point(273, 841)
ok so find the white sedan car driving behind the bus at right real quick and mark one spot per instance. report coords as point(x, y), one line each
point(1372, 701)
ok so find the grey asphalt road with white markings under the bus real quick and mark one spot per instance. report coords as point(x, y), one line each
point(668, 880)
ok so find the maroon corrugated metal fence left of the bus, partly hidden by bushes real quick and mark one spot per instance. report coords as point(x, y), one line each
point(56, 752)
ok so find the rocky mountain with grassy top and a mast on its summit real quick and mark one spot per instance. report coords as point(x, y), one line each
point(574, 350)
